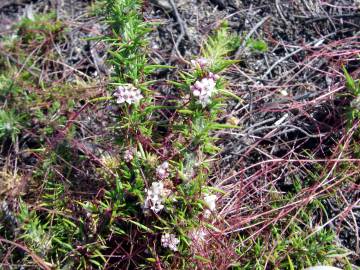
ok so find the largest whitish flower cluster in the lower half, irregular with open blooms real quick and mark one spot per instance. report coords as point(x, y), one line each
point(156, 195)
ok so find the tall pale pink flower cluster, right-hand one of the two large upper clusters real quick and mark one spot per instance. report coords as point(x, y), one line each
point(205, 88)
